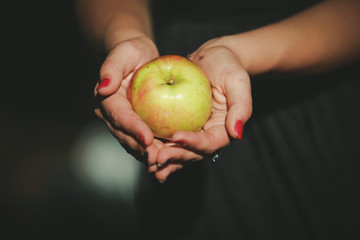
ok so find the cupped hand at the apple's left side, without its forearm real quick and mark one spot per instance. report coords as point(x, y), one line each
point(112, 105)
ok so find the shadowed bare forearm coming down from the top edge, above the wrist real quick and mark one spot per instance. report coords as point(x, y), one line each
point(109, 22)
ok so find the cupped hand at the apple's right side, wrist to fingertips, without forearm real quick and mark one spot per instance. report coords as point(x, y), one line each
point(231, 108)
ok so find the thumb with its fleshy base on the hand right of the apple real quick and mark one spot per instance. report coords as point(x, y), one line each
point(234, 81)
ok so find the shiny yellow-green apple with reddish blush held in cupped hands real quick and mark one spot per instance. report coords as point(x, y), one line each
point(171, 93)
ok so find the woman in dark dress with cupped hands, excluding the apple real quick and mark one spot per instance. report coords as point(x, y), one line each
point(275, 181)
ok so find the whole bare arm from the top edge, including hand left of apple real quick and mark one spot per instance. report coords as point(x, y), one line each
point(124, 29)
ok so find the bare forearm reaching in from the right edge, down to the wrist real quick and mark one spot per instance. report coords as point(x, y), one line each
point(324, 36)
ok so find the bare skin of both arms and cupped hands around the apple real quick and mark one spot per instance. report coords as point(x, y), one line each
point(320, 38)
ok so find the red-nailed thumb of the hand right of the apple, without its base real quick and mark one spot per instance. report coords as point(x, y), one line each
point(239, 103)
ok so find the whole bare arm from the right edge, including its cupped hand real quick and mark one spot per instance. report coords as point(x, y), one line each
point(321, 37)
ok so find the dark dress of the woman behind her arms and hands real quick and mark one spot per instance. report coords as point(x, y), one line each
point(295, 173)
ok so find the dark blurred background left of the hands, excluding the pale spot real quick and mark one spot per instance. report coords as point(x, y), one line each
point(48, 74)
